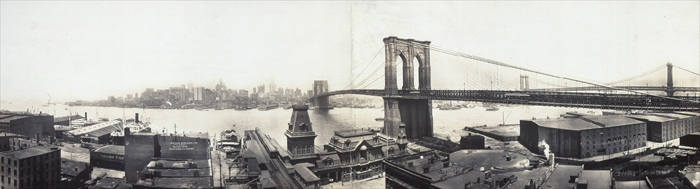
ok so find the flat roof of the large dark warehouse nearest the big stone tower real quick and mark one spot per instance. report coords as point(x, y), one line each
point(585, 122)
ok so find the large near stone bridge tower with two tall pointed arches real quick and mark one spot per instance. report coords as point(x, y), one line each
point(416, 114)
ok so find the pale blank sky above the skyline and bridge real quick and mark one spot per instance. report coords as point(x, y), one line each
point(71, 50)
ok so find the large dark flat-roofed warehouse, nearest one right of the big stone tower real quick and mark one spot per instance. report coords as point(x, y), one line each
point(583, 136)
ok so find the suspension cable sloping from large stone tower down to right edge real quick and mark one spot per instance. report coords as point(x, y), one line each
point(494, 62)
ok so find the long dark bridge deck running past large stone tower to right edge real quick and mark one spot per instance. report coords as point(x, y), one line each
point(540, 98)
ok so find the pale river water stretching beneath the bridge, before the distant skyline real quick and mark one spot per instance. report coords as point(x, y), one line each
point(447, 123)
